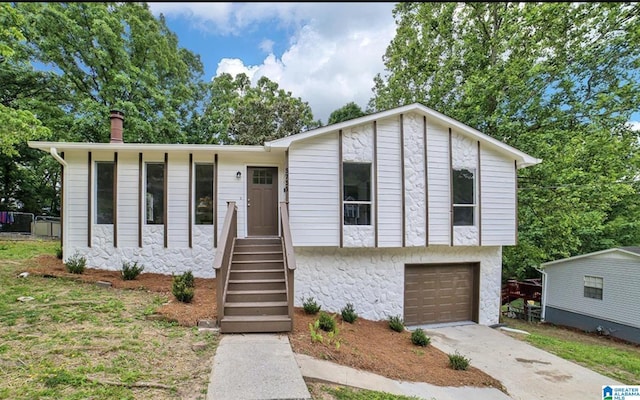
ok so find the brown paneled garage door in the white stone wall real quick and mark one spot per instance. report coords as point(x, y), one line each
point(437, 293)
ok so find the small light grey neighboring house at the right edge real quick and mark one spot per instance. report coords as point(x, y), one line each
point(595, 292)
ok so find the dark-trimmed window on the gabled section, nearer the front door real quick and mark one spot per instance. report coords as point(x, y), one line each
point(356, 179)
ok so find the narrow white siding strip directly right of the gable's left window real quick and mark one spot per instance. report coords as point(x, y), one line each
point(389, 191)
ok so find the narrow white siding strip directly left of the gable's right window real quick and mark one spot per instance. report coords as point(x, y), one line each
point(439, 191)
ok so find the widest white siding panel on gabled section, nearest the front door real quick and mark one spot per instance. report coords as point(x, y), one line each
point(314, 206)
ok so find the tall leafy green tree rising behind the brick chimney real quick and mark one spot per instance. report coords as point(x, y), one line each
point(115, 55)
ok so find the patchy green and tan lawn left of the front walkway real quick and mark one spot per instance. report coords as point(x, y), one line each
point(77, 341)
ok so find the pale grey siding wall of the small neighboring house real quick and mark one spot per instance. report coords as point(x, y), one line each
point(621, 280)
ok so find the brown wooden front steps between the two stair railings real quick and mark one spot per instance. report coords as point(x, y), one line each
point(255, 295)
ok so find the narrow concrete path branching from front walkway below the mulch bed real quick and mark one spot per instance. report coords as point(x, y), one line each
point(329, 372)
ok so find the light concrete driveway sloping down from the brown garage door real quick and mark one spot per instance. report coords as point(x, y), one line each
point(525, 371)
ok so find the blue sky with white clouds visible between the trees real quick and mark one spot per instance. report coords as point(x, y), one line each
point(325, 53)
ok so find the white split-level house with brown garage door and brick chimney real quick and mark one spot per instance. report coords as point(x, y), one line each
point(402, 212)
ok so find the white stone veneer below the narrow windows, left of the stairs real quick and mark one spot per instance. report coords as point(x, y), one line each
point(153, 255)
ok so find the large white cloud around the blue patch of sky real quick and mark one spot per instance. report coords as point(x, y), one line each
point(333, 53)
